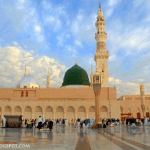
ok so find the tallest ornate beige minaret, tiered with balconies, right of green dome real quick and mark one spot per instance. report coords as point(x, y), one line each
point(101, 54)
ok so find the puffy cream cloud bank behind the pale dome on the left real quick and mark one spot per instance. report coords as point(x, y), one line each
point(13, 59)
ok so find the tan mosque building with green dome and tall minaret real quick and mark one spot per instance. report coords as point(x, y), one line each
point(76, 97)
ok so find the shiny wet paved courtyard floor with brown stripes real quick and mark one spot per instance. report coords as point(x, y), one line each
point(70, 138)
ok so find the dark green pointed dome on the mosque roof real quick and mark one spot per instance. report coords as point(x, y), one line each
point(76, 76)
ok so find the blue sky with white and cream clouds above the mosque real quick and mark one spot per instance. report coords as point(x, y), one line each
point(42, 34)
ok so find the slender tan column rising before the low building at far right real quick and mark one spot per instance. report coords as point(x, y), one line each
point(142, 98)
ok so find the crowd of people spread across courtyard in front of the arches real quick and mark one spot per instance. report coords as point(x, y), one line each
point(80, 122)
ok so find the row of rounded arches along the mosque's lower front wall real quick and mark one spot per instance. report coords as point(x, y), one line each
point(54, 113)
